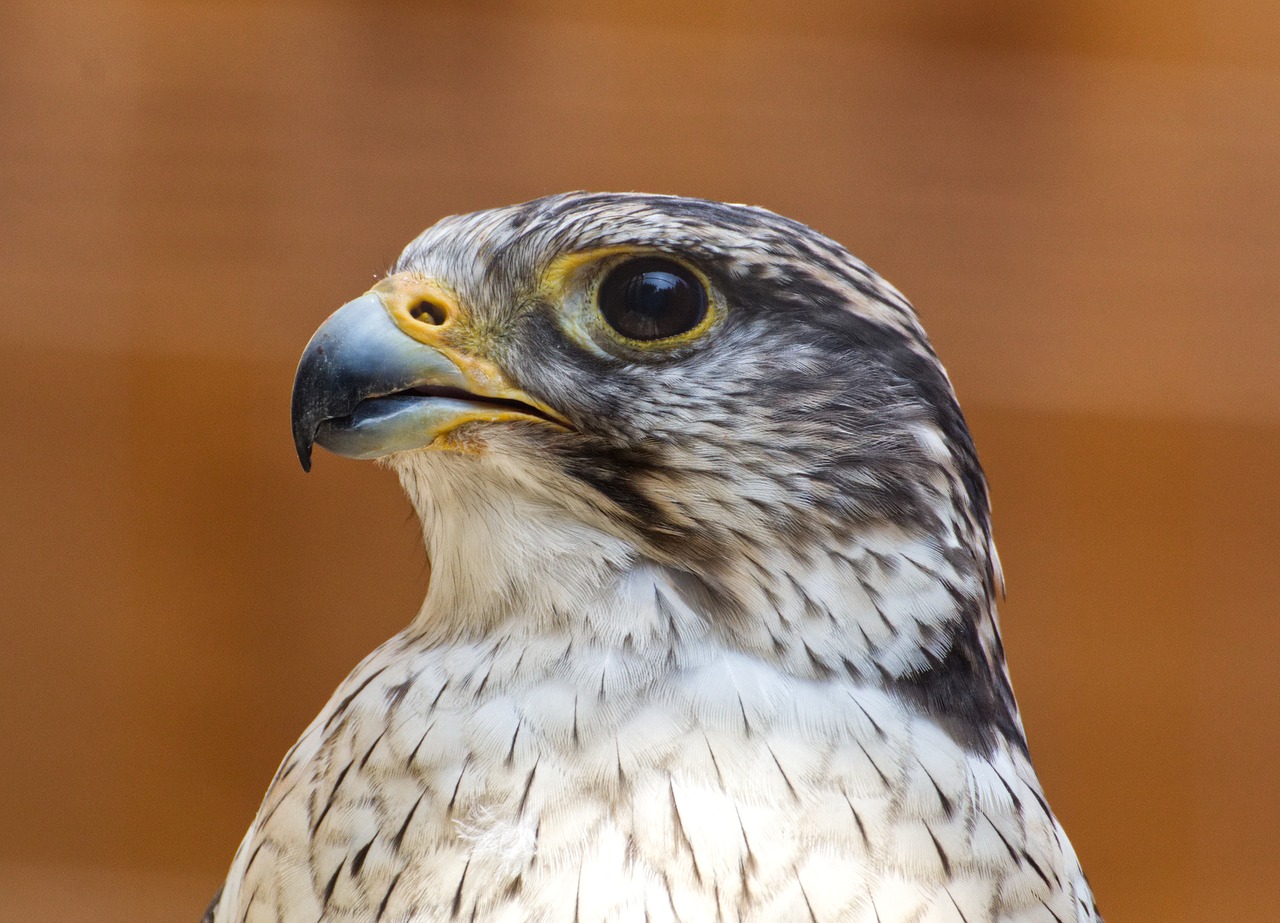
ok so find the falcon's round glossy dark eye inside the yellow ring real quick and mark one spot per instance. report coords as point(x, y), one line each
point(652, 299)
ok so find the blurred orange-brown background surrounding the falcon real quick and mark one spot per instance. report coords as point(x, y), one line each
point(1081, 199)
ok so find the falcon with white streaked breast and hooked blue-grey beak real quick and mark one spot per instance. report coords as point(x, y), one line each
point(711, 630)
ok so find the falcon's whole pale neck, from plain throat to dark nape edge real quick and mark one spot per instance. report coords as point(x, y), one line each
point(883, 607)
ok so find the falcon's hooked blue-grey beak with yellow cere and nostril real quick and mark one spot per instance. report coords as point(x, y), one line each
point(381, 377)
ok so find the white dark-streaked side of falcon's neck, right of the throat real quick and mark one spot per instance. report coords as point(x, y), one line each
point(886, 609)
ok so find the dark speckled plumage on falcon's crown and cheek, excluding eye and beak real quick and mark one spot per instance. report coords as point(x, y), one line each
point(812, 414)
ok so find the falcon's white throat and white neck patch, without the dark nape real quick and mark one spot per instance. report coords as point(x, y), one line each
point(511, 556)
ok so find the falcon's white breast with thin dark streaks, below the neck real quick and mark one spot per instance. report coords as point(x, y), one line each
point(545, 775)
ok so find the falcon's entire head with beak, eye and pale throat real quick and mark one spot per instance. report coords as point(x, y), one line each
point(712, 391)
